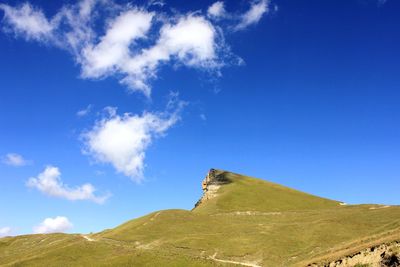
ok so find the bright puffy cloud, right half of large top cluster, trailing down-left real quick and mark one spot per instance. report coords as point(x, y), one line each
point(191, 42)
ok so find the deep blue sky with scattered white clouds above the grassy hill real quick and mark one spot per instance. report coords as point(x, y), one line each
point(122, 110)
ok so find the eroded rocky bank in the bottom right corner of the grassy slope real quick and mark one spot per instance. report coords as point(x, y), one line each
point(384, 255)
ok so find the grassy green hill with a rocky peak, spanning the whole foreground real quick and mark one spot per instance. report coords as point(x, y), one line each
point(239, 221)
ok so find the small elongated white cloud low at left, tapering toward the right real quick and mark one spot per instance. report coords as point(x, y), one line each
point(49, 182)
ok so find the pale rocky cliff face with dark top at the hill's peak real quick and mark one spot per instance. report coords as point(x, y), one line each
point(210, 185)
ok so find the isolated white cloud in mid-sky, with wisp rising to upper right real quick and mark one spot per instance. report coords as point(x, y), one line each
point(122, 140)
